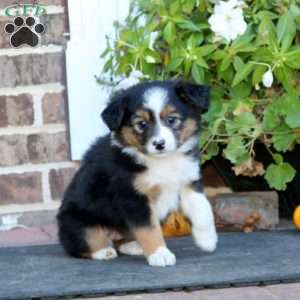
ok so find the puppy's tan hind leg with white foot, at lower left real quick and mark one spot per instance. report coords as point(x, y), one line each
point(99, 243)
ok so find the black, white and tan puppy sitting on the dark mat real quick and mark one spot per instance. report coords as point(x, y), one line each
point(131, 179)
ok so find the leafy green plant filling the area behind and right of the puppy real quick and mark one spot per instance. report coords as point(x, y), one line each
point(169, 39)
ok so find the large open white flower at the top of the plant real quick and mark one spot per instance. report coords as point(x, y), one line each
point(228, 21)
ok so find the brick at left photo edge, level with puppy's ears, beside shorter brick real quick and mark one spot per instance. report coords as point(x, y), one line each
point(16, 110)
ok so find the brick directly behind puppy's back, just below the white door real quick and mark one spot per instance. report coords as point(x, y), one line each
point(59, 180)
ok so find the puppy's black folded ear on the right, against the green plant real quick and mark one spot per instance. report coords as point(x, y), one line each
point(193, 94)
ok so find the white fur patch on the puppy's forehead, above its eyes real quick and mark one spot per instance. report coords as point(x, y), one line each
point(155, 99)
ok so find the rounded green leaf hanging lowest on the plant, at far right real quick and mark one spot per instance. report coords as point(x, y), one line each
point(278, 175)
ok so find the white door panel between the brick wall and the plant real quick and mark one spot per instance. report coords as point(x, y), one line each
point(90, 21)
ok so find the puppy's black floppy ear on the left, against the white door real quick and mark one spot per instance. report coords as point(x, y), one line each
point(113, 114)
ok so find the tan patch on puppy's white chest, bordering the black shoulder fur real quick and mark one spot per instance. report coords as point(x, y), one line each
point(141, 185)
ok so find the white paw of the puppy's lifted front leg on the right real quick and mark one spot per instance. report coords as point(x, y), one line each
point(206, 240)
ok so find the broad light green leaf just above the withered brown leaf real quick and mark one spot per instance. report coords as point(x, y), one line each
point(236, 151)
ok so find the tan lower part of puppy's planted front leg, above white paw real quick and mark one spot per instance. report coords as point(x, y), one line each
point(150, 238)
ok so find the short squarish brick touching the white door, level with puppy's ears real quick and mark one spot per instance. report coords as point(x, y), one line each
point(53, 108)
